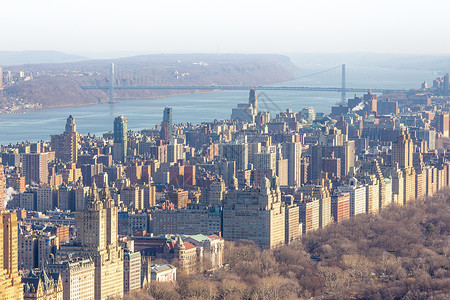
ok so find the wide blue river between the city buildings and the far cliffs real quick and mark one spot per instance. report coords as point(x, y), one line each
point(197, 108)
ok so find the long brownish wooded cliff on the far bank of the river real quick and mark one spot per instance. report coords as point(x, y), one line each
point(60, 84)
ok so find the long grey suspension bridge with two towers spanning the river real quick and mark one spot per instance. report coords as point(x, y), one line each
point(343, 89)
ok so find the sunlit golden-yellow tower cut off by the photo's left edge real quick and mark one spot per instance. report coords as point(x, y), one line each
point(10, 281)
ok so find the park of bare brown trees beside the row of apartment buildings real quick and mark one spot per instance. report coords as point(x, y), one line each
point(401, 253)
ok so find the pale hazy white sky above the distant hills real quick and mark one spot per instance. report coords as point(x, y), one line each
point(85, 26)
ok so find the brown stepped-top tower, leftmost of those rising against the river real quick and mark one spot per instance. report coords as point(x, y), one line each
point(66, 145)
